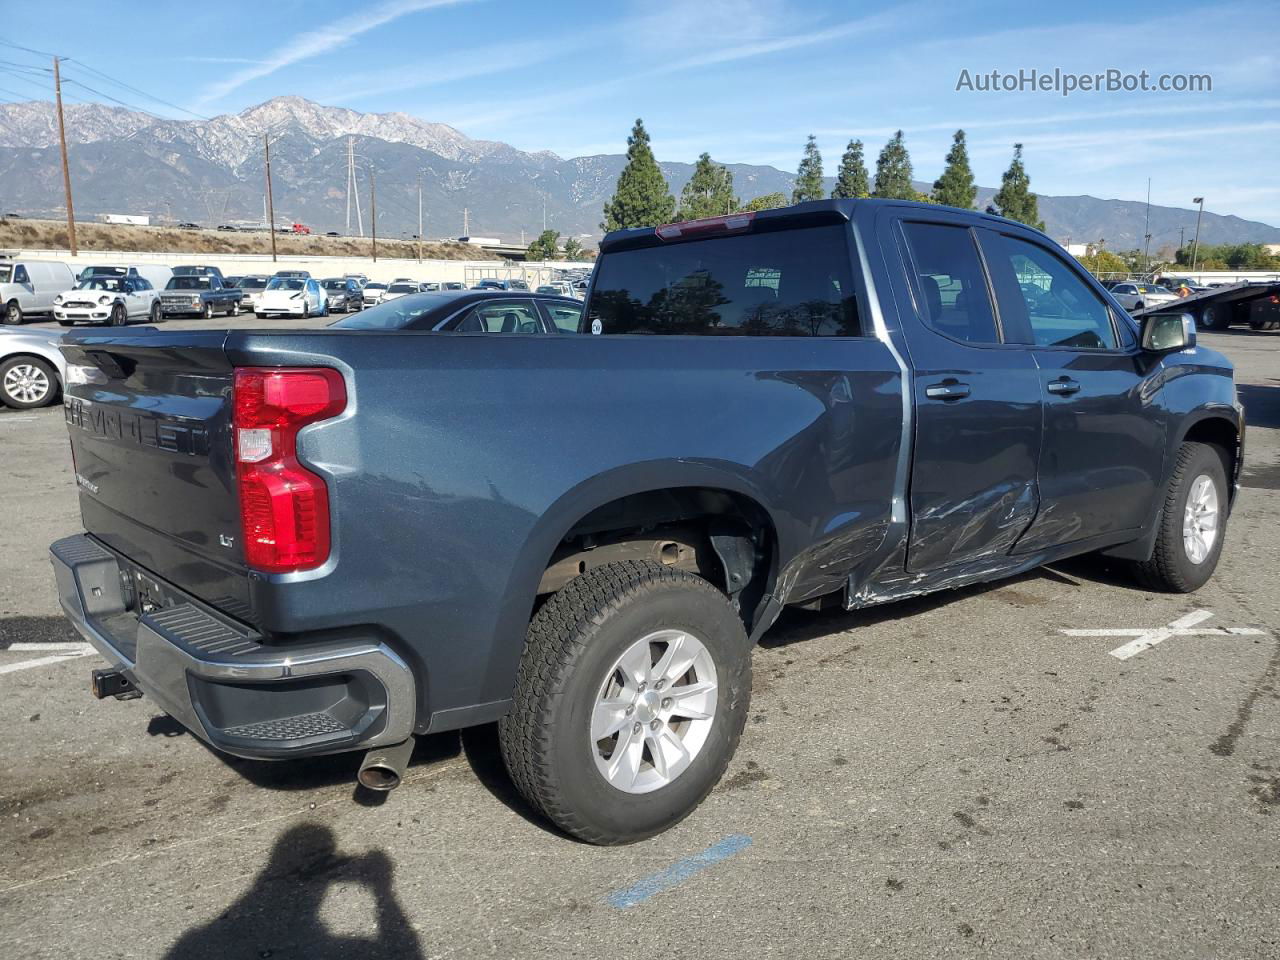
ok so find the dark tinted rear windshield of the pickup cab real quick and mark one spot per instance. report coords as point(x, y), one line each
point(779, 284)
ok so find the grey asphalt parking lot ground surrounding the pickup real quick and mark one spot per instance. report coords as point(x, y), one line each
point(1057, 766)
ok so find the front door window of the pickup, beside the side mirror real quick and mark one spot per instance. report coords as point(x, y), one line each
point(1062, 310)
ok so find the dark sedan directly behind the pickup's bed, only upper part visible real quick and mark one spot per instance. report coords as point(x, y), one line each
point(470, 312)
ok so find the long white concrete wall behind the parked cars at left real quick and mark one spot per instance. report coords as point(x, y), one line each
point(321, 268)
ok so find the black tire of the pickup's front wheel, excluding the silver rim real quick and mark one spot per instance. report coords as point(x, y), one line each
point(1171, 570)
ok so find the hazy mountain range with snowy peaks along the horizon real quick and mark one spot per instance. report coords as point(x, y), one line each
point(212, 172)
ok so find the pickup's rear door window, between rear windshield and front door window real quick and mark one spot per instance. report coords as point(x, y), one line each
point(952, 284)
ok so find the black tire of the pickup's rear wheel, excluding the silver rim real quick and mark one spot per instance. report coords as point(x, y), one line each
point(572, 644)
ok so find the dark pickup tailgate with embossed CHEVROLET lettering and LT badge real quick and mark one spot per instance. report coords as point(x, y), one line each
point(152, 442)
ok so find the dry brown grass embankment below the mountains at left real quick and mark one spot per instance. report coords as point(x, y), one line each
point(52, 235)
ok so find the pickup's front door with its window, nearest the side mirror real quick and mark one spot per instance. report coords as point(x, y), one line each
point(1104, 449)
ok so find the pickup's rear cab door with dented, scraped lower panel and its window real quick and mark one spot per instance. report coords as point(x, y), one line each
point(977, 403)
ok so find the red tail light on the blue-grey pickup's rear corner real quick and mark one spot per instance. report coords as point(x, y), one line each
point(285, 508)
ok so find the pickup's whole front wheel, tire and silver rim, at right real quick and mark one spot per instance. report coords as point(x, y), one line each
point(1192, 523)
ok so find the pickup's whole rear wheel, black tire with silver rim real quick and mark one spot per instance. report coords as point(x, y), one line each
point(630, 701)
